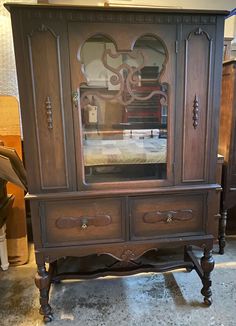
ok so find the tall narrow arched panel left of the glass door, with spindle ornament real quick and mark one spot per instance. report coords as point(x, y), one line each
point(45, 68)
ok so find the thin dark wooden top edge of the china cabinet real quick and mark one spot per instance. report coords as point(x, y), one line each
point(11, 5)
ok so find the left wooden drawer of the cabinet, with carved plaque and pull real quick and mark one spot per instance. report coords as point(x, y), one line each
point(82, 221)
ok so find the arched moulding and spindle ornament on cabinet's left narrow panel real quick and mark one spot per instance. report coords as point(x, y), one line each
point(44, 29)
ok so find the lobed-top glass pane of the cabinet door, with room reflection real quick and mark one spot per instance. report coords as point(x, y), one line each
point(124, 110)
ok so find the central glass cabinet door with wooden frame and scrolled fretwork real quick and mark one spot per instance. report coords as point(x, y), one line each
point(124, 103)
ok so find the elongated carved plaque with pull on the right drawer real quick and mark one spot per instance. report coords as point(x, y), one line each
point(167, 216)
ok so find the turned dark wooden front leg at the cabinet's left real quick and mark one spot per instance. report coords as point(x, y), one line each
point(42, 282)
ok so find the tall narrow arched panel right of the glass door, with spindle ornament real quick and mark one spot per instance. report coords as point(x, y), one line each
point(198, 51)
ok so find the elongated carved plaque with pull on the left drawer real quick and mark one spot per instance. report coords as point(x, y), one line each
point(82, 221)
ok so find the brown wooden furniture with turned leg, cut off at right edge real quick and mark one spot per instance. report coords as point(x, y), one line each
point(227, 144)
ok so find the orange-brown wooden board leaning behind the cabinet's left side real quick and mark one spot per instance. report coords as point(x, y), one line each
point(10, 134)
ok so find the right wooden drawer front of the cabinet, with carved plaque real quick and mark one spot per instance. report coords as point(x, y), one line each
point(166, 215)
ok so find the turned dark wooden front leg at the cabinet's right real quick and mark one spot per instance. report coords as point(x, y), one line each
point(207, 264)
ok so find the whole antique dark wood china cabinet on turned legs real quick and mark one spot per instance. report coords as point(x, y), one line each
point(120, 112)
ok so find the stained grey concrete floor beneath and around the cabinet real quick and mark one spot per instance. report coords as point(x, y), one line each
point(145, 300)
